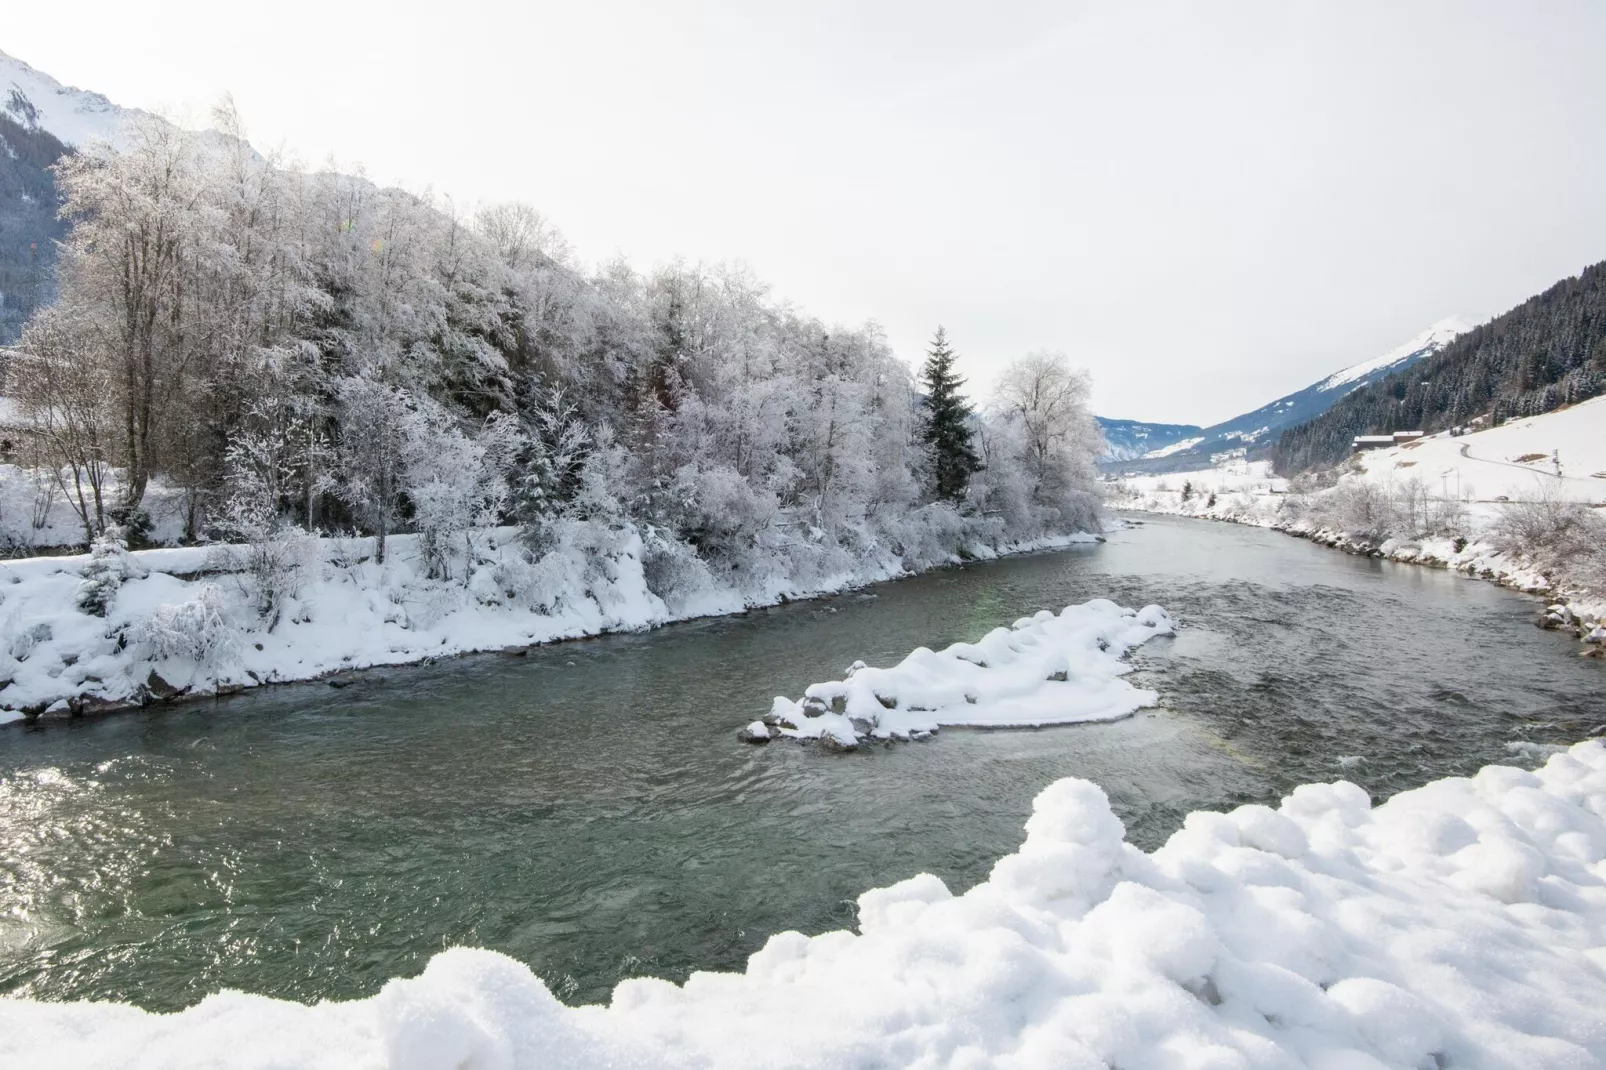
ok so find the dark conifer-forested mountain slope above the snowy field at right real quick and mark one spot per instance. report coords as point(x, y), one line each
point(1547, 353)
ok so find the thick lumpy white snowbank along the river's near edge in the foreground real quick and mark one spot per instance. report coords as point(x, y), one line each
point(1462, 925)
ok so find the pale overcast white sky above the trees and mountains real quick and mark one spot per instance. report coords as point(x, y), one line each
point(1207, 205)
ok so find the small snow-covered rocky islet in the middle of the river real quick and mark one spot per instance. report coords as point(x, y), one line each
point(1041, 671)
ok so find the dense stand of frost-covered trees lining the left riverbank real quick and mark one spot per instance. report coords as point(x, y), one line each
point(296, 353)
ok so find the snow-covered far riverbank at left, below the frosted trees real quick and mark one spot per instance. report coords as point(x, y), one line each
point(190, 623)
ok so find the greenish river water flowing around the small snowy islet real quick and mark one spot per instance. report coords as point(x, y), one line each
point(589, 809)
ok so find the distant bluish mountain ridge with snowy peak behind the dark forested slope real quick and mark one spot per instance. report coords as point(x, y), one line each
point(1260, 430)
